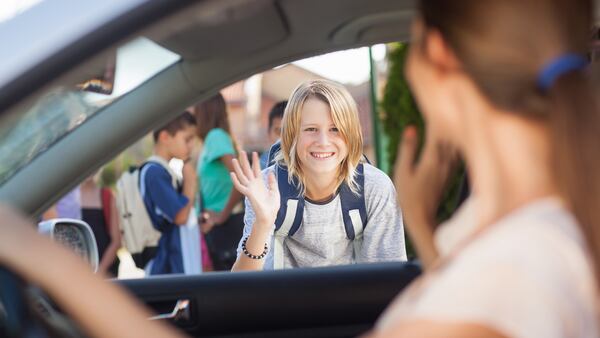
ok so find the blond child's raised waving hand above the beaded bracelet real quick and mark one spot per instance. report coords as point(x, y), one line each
point(248, 180)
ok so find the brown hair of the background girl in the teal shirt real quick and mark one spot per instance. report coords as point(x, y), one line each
point(210, 114)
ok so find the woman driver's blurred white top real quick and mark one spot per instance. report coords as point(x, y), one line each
point(527, 276)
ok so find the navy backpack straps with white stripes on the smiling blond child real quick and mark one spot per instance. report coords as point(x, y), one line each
point(289, 216)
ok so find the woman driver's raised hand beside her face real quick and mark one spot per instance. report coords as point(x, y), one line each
point(420, 187)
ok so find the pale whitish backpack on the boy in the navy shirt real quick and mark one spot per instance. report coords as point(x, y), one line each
point(139, 235)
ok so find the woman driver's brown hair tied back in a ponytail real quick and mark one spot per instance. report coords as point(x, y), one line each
point(503, 45)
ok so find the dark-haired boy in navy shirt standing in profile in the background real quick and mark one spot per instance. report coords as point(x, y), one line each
point(170, 207)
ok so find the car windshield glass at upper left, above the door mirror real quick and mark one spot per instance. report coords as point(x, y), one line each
point(61, 109)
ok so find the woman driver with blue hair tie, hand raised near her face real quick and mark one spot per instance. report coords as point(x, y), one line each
point(505, 84)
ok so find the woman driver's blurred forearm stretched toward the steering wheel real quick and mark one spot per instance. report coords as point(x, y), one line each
point(67, 279)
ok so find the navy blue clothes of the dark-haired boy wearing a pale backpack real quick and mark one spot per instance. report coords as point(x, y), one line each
point(163, 202)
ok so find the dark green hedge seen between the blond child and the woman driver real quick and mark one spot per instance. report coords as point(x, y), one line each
point(399, 110)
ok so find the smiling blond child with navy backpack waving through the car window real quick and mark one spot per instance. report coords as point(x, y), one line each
point(319, 204)
